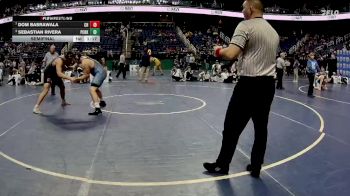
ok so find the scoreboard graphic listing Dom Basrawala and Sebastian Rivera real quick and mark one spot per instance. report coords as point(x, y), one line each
point(54, 29)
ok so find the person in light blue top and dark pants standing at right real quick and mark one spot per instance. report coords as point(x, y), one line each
point(311, 69)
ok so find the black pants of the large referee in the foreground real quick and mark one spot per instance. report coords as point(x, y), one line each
point(251, 98)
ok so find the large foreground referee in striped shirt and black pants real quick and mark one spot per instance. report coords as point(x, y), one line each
point(255, 42)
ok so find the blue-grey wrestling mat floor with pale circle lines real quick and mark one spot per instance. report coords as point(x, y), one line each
point(153, 138)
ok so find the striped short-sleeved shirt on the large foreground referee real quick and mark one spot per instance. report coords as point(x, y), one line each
point(259, 42)
